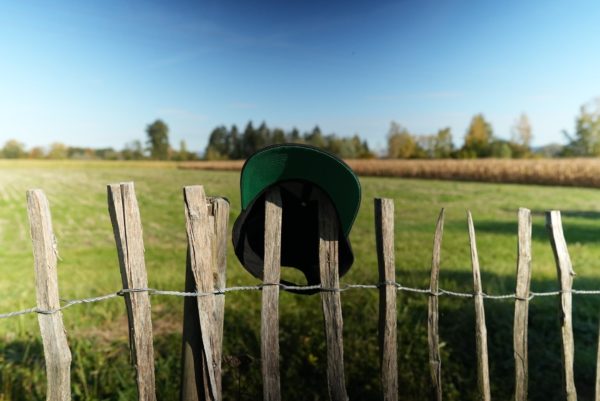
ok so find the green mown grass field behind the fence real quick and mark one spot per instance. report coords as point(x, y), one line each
point(98, 334)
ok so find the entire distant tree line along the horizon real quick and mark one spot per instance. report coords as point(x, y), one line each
point(229, 143)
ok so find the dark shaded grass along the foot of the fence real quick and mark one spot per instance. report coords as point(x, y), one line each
point(102, 371)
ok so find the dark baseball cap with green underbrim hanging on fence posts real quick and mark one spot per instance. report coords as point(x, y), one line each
point(303, 174)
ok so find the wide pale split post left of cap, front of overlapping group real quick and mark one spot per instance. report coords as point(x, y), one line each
point(200, 233)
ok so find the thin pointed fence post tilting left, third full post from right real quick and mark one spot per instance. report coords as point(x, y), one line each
point(483, 373)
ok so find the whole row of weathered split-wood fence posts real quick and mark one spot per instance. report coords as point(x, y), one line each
point(207, 233)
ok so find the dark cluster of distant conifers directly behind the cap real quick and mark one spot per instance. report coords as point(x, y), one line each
point(229, 143)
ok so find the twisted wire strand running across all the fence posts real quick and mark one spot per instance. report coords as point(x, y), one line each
point(295, 288)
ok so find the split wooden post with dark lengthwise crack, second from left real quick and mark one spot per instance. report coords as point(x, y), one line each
point(127, 228)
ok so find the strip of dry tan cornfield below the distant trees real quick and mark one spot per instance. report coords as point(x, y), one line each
point(564, 172)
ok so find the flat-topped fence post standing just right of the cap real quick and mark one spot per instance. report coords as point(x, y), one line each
point(388, 348)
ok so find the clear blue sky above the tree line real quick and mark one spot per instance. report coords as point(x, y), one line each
point(96, 73)
